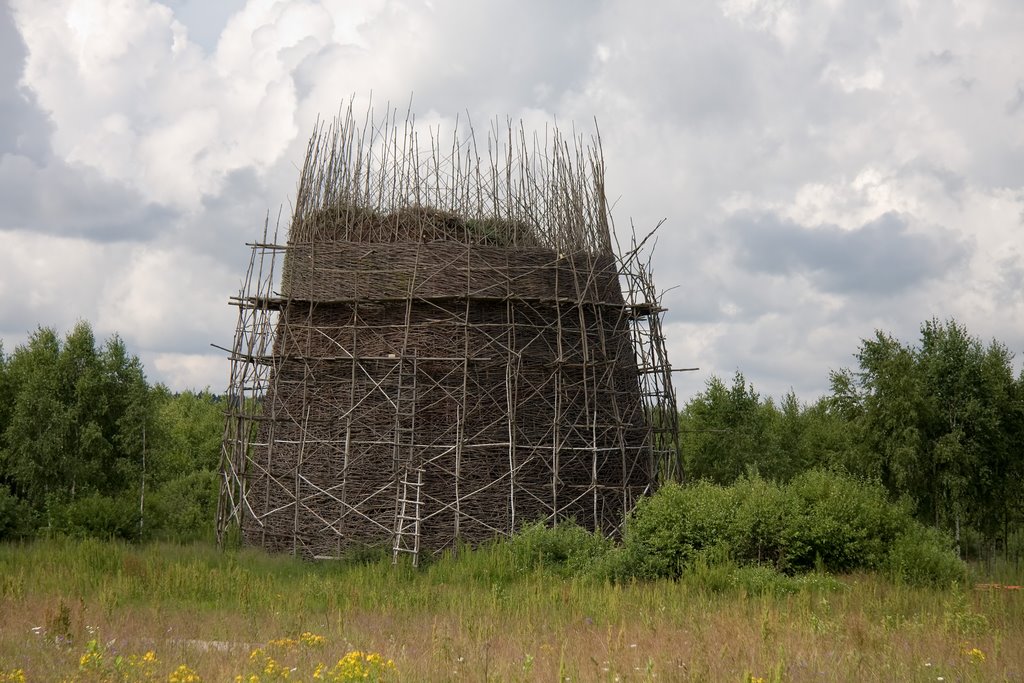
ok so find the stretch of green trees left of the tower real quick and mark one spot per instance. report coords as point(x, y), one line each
point(90, 448)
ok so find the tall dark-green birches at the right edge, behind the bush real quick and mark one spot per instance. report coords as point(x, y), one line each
point(942, 423)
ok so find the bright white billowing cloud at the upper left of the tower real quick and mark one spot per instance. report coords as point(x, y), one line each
point(132, 97)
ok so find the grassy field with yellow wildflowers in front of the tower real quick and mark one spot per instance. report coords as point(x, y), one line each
point(69, 610)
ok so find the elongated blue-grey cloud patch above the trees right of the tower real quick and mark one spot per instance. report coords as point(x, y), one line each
point(881, 258)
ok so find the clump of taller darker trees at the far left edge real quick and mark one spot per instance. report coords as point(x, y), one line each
point(77, 414)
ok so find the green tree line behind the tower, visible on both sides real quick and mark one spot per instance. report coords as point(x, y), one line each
point(89, 447)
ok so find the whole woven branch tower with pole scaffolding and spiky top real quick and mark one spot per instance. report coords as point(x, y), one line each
point(446, 348)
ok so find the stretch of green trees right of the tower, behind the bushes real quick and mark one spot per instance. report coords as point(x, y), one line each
point(940, 423)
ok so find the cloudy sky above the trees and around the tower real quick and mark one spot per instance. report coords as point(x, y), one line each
point(827, 167)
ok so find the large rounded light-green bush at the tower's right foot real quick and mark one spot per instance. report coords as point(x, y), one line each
point(821, 521)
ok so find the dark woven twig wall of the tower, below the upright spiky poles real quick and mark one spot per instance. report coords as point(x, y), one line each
point(506, 375)
